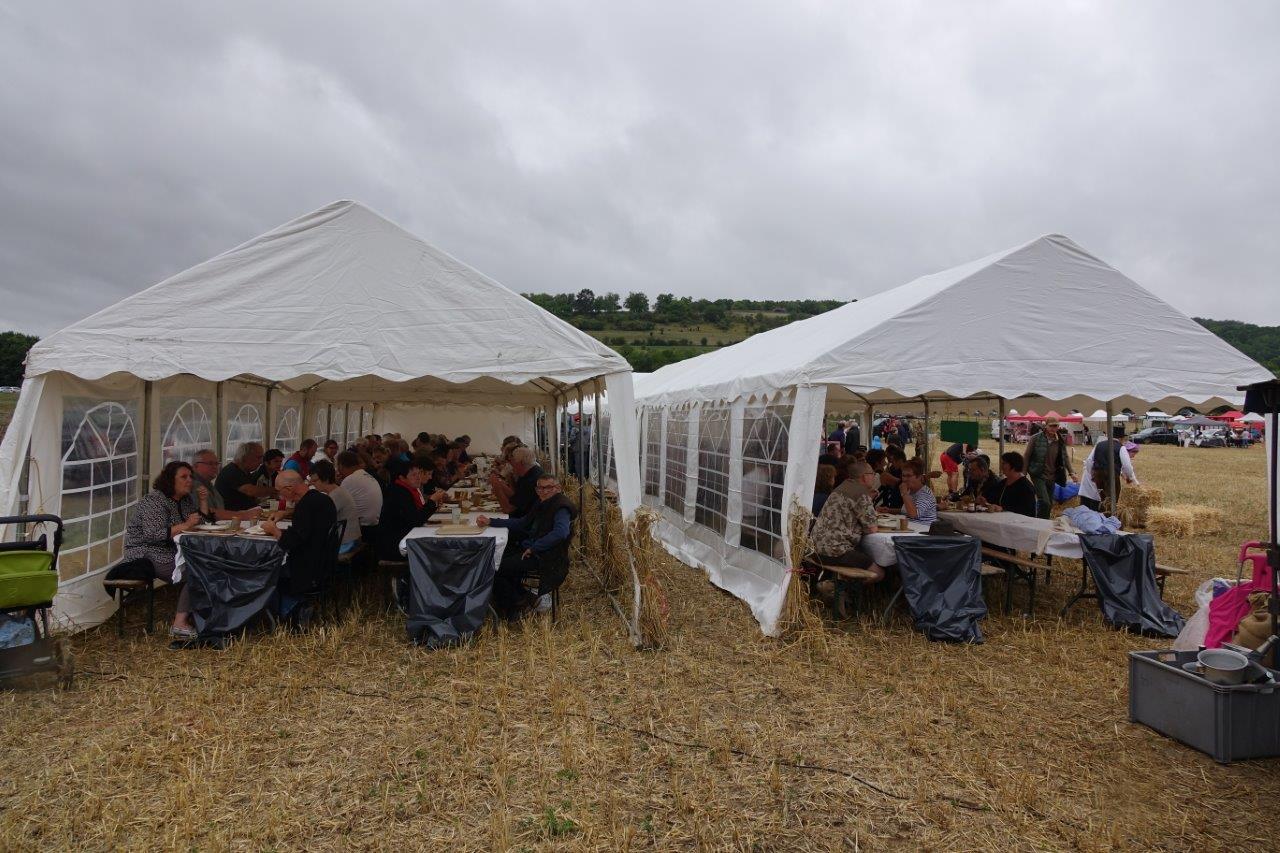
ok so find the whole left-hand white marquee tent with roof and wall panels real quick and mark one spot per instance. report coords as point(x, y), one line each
point(336, 325)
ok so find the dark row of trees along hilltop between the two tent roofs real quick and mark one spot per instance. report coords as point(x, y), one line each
point(638, 314)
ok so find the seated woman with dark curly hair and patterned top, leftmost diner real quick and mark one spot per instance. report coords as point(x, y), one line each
point(170, 509)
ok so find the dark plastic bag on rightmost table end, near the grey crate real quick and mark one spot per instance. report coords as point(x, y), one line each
point(1124, 573)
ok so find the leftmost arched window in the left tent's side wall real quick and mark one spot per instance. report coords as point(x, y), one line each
point(100, 471)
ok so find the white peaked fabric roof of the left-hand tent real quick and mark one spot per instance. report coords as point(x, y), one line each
point(339, 294)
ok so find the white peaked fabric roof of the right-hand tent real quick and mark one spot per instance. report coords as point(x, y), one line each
point(1043, 320)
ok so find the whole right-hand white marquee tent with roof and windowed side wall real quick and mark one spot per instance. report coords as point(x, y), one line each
point(730, 439)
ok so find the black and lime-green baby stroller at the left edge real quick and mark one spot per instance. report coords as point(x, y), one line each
point(29, 582)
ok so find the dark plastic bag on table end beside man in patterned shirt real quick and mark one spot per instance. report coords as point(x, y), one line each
point(943, 586)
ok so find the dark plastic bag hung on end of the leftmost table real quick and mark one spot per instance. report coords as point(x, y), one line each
point(231, 581)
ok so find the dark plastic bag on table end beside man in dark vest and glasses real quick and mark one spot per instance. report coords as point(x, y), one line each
point(450, 583)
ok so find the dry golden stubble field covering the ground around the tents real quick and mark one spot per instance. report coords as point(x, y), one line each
point(563, 737)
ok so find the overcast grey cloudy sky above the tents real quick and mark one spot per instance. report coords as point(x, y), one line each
point(732, 149)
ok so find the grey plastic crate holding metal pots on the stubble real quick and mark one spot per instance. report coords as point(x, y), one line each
point(1228, 723)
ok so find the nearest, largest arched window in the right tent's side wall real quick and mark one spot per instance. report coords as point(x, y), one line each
point(765, 464)
